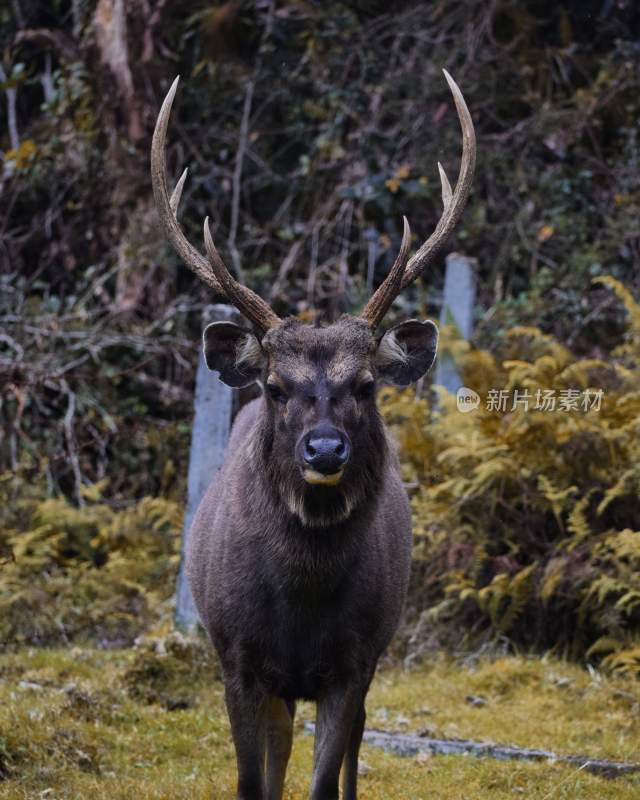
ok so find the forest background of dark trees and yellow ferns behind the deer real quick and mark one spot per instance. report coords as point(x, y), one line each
point(309, 129)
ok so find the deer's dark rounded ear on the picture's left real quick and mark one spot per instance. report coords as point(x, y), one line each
point(234, 352)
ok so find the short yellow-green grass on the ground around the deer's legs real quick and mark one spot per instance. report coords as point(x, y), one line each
point(137, 724)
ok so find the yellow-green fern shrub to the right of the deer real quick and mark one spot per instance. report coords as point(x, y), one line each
point(527, 522)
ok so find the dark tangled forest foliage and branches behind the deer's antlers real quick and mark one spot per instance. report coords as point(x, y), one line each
point(309, 129)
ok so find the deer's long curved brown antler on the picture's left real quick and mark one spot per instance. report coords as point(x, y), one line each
point(247, 302)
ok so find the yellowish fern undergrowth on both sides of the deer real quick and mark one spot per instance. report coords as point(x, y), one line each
point(526, 521)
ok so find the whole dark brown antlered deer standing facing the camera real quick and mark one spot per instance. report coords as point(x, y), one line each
point(299, 555)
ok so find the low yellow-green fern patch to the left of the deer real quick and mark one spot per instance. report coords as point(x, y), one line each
point(85, 573)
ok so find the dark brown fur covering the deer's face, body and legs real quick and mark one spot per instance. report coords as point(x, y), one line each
point(301, 587)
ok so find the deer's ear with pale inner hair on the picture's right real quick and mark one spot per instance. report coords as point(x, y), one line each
point(407, 351)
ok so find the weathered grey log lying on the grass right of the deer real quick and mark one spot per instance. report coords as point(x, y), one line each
point(404, 744)
